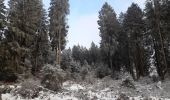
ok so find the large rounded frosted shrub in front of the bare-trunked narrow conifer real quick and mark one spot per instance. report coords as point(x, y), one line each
point(53, 77)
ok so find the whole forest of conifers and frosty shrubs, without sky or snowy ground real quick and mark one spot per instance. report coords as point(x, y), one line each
point(134, 46)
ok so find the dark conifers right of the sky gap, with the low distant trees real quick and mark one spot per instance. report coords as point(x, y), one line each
point(137, 41)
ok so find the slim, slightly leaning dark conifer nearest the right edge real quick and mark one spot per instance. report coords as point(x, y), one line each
point(162, 66)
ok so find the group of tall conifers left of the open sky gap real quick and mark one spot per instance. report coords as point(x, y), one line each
point(24, 35)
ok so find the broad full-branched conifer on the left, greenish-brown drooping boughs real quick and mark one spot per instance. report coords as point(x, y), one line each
point(24, 22)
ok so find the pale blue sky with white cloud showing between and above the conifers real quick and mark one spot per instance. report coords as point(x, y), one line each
point(82, 20)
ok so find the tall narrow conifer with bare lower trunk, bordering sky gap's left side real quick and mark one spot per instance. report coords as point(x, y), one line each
point(58, 25)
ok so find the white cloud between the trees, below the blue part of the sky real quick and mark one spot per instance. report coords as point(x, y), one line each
point(83, 30)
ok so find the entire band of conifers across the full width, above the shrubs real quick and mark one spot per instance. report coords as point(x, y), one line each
point(137, 41)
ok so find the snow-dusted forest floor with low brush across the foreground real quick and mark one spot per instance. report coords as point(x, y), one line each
point(101, 89)
